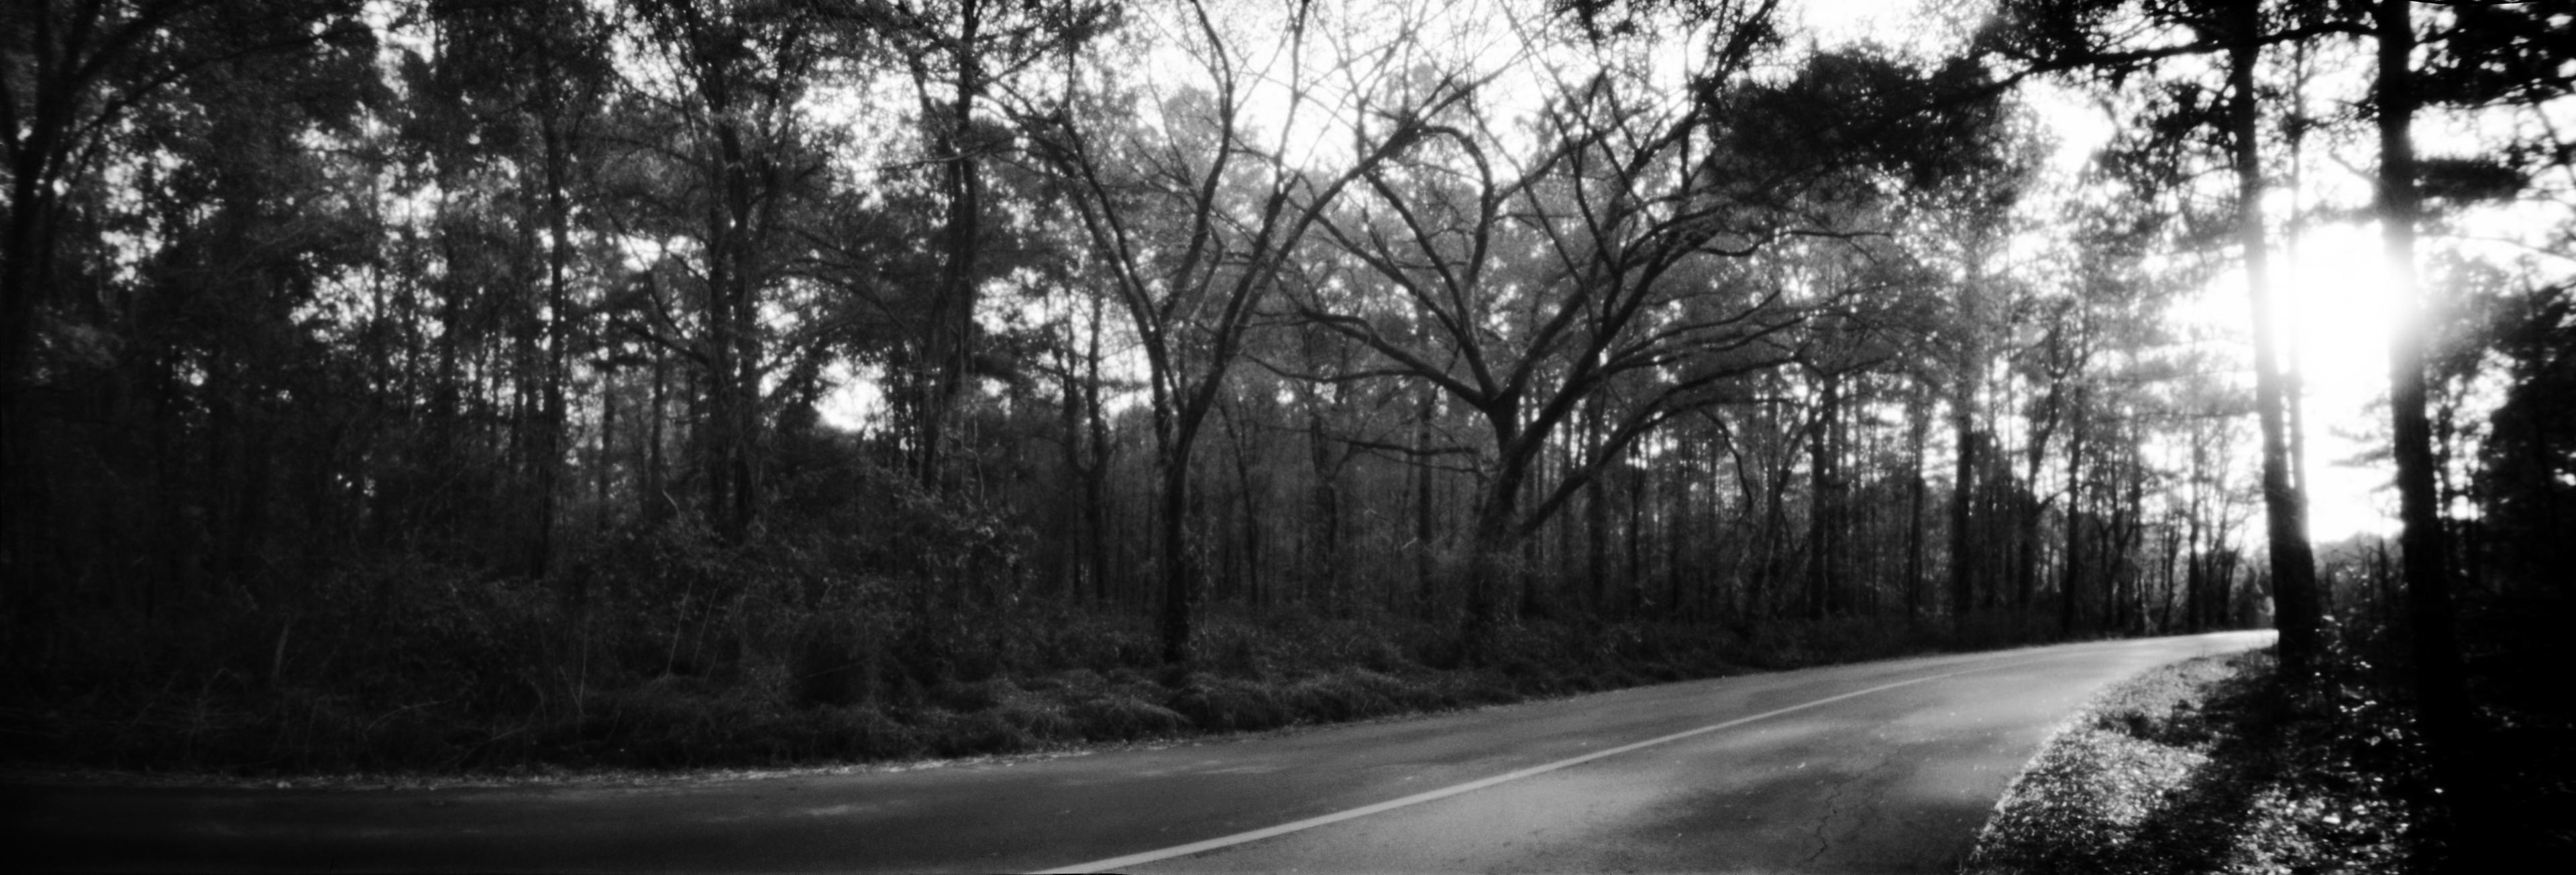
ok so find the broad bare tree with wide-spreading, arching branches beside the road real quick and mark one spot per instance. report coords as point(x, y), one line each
point(1596, 266)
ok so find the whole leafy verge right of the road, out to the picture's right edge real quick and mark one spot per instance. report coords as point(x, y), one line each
point(2217, 766)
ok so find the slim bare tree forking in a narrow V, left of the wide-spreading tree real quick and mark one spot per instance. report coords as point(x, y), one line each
point(1199, 220)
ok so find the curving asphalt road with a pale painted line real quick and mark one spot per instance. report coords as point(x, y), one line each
point(1866, 768)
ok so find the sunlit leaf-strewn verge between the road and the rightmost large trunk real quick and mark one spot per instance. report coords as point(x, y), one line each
point(2206, 768)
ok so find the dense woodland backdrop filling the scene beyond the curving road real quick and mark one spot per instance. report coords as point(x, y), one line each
point(473, 385)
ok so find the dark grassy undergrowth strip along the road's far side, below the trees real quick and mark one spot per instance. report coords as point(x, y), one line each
point(679, 655)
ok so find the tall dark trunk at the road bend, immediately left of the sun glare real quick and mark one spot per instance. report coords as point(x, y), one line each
point(2286, 516)
